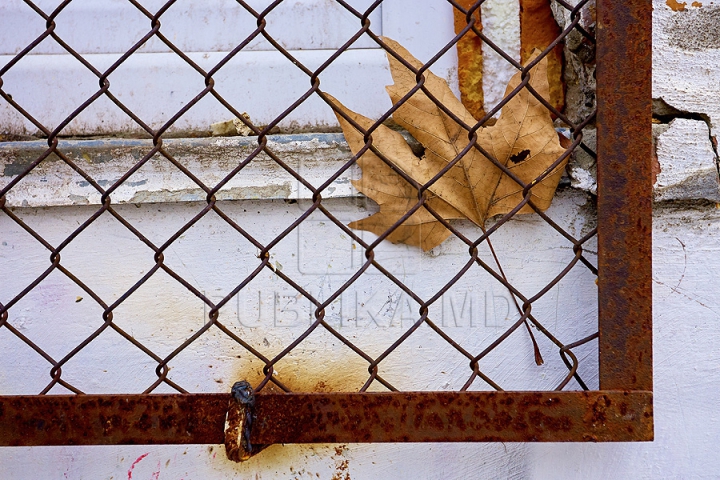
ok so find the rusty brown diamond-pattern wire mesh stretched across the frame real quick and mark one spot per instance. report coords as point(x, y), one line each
point(480, 257)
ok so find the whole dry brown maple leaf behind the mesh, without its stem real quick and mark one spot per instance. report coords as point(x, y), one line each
point(523, 140)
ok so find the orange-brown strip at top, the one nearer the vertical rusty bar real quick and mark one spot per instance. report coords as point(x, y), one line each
point(538, 29)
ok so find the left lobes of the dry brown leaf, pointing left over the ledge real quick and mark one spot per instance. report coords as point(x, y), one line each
point(389, 190)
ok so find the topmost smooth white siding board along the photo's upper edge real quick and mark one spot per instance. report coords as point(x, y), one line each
point(113, 26)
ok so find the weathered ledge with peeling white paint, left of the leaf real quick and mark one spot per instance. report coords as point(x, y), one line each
point(53, 183)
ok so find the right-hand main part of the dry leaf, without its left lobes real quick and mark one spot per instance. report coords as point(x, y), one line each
point(523, 139)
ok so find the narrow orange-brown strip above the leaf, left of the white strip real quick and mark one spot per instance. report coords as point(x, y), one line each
point(470, 61)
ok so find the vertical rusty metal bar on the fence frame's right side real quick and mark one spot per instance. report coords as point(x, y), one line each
point(625, 193)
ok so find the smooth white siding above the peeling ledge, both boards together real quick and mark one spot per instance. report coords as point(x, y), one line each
point(49, 83)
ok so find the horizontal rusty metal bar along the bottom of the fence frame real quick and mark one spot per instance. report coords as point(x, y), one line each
point(329, 417)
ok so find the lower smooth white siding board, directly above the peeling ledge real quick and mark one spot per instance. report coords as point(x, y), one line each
point(156, 86)
